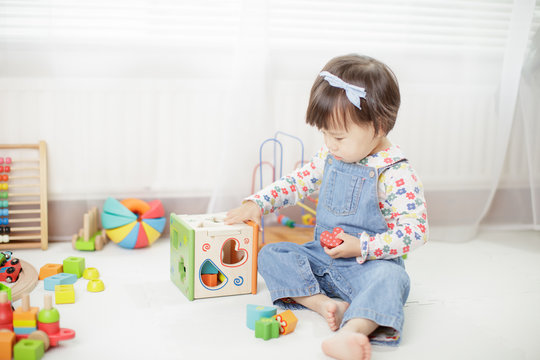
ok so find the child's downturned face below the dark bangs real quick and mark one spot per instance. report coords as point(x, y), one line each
point(355, 143)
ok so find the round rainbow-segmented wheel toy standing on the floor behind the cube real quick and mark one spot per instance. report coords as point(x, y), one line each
point(133, 223)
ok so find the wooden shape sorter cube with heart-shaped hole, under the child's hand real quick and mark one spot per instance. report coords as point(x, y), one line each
point(209, 258)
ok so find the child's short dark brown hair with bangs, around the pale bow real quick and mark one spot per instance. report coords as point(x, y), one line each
point(329, 107)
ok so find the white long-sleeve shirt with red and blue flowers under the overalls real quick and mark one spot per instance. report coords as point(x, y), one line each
point(401, 200)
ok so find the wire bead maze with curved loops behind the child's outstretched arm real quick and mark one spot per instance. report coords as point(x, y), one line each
point(308, 219)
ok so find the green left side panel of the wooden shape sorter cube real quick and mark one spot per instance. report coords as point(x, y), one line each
point(182, 256)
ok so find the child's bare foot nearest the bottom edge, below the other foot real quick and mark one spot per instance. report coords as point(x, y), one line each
point(347, 345)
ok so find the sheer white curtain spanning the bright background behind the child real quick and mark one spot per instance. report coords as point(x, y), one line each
point(172, 99)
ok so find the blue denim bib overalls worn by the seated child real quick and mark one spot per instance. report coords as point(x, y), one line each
point(376, 289)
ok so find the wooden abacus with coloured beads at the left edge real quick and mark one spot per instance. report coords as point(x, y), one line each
point(23, 196)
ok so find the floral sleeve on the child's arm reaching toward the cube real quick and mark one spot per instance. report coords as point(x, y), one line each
point(293, 187)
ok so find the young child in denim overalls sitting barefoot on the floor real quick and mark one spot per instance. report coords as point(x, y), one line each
point(367, 188)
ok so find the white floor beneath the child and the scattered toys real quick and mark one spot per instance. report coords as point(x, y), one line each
point(473, 300)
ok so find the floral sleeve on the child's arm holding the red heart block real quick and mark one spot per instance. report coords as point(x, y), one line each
point(402, 203)
